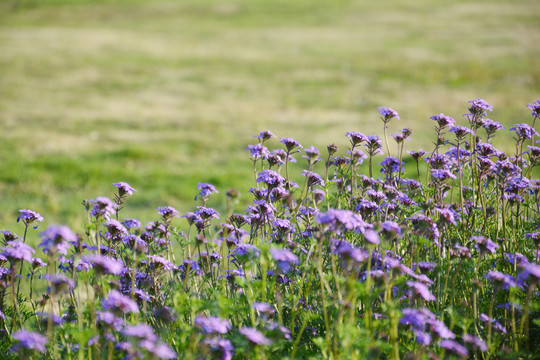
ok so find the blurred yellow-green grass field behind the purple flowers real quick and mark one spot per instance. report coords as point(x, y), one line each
point(166, 94)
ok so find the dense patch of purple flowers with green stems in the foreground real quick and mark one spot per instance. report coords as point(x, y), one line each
point(356, 261)
